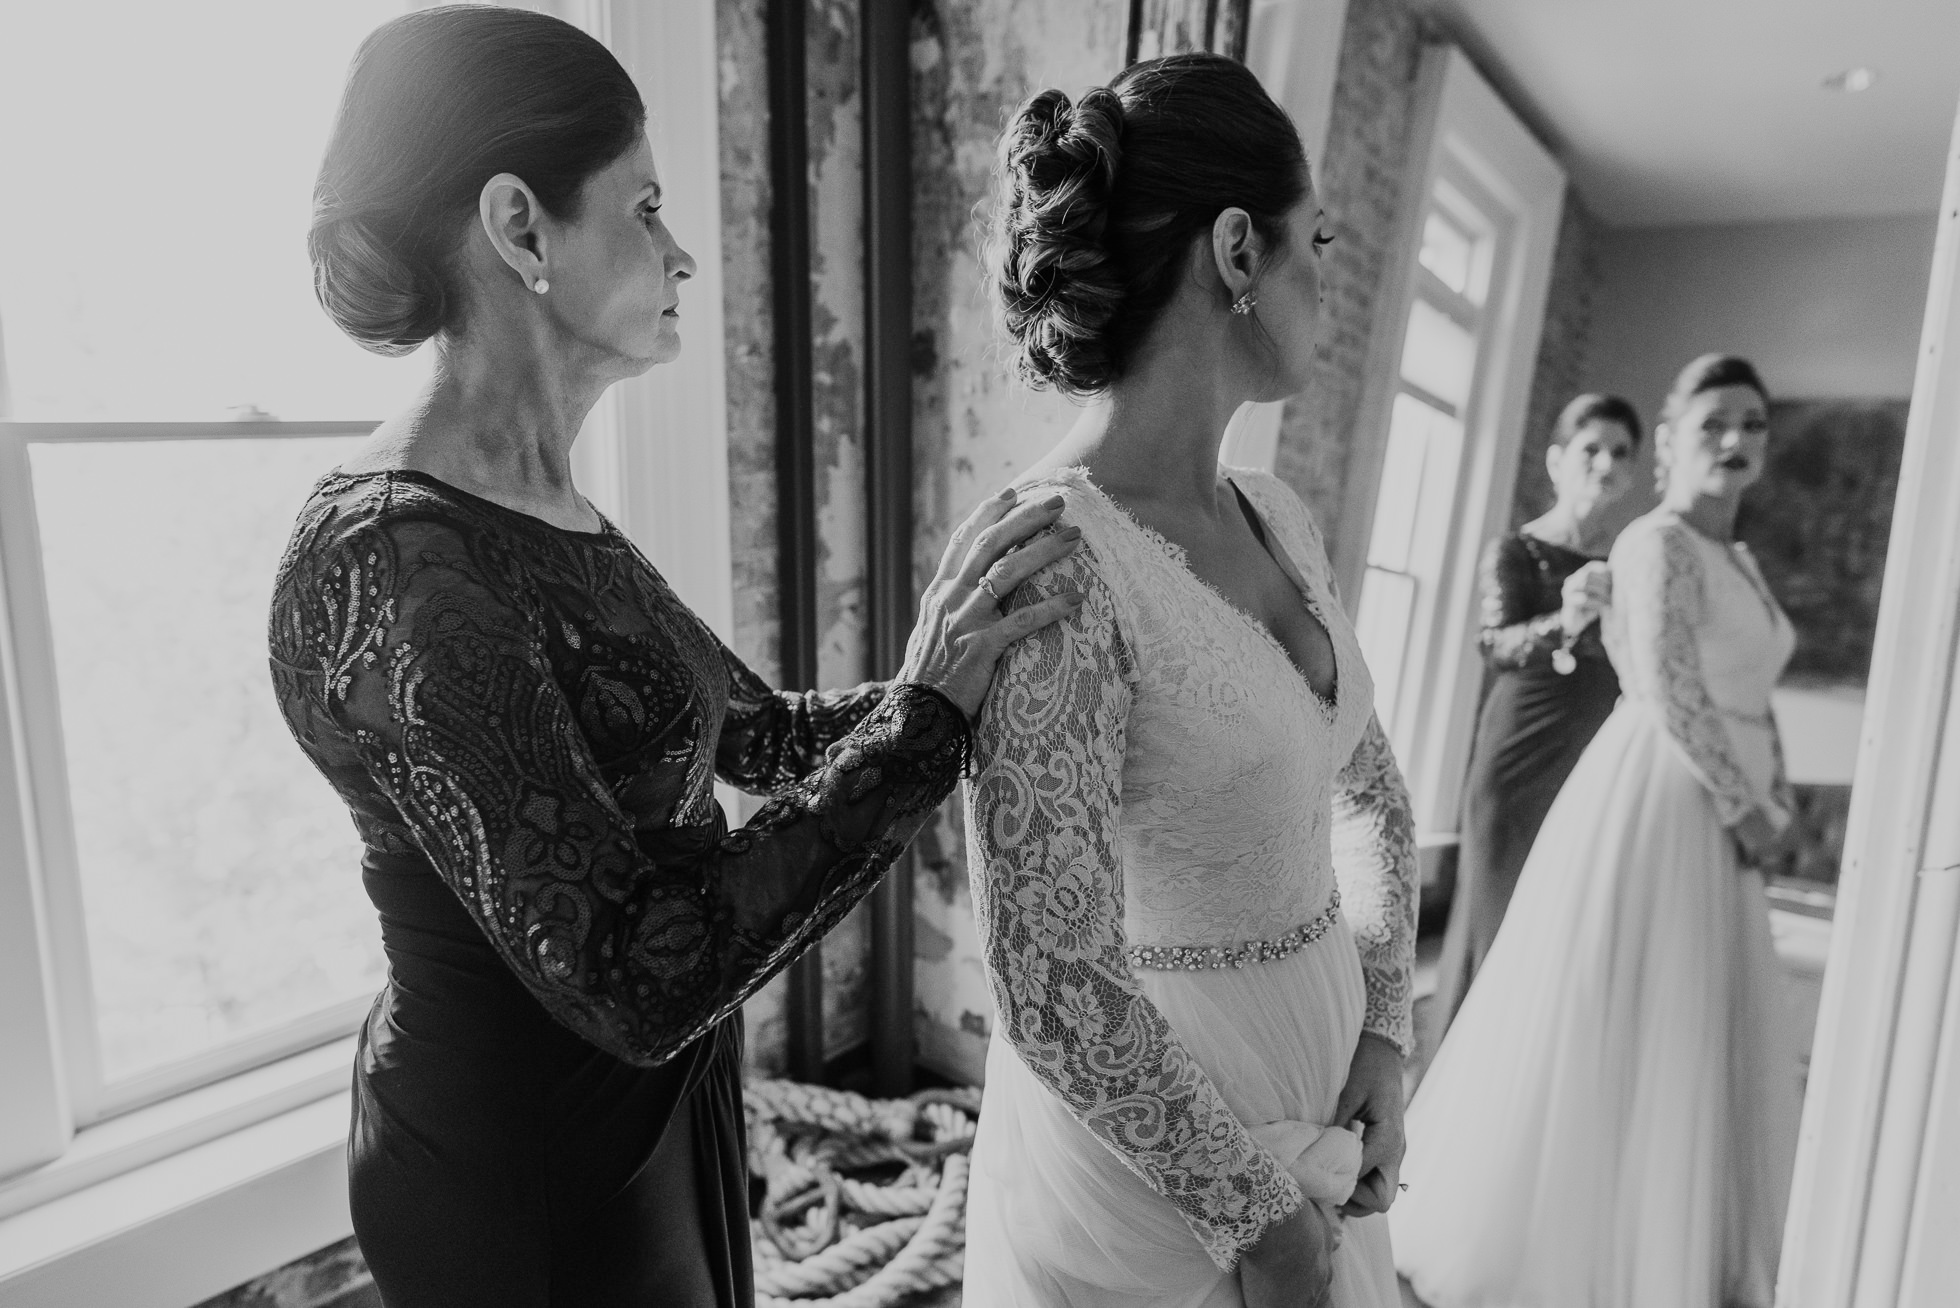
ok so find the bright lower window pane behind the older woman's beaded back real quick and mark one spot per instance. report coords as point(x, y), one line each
point(220, 876)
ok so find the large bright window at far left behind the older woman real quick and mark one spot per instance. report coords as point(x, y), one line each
point(173, 391)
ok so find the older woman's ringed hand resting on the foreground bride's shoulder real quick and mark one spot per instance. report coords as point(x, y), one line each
point(961, 632)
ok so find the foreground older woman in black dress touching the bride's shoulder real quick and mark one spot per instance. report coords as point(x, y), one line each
point(526, 723)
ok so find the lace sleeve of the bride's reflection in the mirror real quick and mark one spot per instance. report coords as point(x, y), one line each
point(1657, 585)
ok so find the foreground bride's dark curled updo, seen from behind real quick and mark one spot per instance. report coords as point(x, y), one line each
point(1099, 203)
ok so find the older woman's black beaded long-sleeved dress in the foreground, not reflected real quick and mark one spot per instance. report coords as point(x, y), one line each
point(526, 727)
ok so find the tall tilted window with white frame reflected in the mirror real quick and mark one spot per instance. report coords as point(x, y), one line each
point(1447, 391)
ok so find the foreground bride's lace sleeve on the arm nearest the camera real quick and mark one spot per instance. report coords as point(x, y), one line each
point(1050, 903)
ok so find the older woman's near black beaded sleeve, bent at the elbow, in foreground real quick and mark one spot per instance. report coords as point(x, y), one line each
point(434, 662)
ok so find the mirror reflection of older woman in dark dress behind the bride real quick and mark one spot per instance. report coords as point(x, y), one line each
point(1553, 685)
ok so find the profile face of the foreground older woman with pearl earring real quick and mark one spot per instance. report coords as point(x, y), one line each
point(616, 272)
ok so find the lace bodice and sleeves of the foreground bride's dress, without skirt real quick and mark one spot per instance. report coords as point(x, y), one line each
point(1157, 772)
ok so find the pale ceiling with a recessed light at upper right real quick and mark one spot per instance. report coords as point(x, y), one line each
point(1673, 113)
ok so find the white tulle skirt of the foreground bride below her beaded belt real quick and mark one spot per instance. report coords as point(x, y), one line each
point(1055, 1221)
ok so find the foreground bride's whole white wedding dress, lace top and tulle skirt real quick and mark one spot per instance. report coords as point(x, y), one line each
point(1197, 889)
